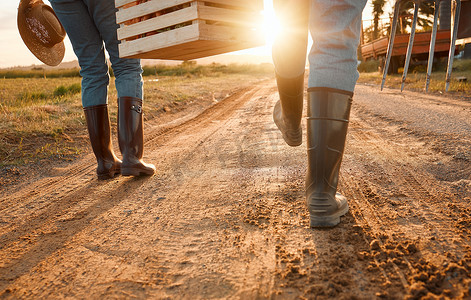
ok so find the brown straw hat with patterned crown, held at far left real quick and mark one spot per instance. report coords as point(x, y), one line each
point(41, 31)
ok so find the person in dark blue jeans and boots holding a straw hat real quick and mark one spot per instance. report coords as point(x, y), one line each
point(91, 26)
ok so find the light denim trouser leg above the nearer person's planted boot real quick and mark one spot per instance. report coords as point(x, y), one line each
point(335, 29)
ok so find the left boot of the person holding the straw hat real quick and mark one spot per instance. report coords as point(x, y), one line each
point(99, 130)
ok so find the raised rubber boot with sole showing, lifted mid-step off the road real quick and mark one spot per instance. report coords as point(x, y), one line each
point(287, 113)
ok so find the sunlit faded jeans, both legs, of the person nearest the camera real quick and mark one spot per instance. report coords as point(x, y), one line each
point(335, 29)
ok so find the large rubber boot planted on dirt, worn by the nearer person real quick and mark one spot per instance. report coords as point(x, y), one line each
point(327, 123)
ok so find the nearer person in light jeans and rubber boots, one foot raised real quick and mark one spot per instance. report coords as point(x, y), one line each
point(335, 31)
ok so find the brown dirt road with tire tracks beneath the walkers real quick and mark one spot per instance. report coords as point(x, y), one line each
point(225, 217)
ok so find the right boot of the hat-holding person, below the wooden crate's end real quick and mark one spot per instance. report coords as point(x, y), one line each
point(131, 137)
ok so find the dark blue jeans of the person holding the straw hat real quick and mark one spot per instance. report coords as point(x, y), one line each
point(91, 26)
